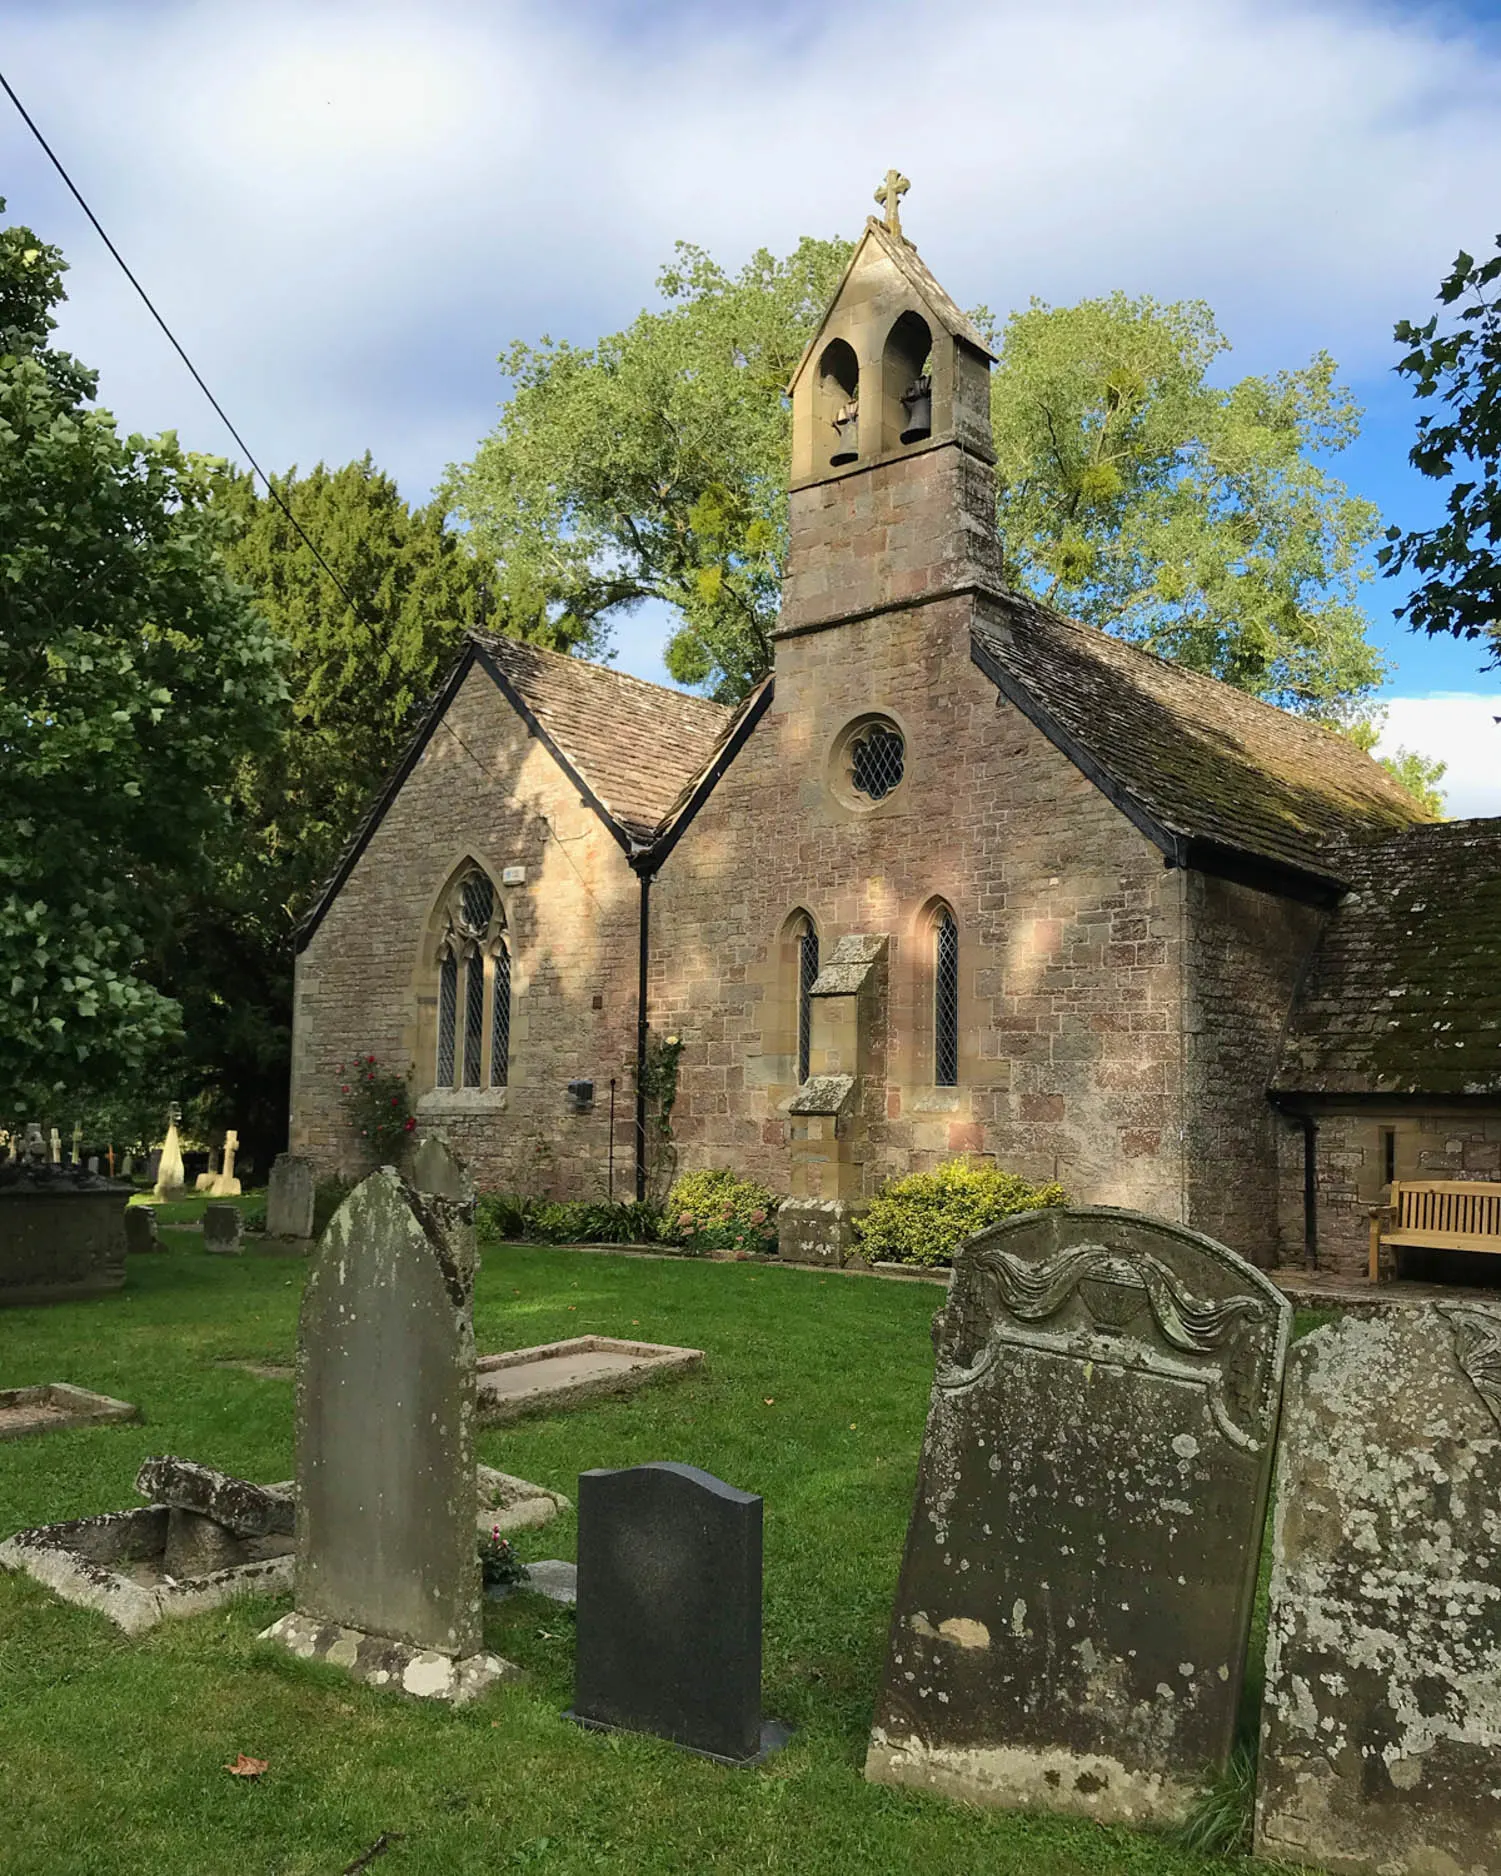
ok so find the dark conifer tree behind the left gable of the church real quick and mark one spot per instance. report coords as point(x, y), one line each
point(359, 676)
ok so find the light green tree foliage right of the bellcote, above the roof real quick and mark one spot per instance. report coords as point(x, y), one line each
point(1185, 517)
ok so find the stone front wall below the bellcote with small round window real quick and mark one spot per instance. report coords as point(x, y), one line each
point(1070, 930)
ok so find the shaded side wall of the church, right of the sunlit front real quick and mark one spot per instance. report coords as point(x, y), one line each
point(1247, 952)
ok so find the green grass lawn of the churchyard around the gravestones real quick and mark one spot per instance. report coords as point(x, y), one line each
point(815, 1389)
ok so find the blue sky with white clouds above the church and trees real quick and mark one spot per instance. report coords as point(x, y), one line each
point(346, 211)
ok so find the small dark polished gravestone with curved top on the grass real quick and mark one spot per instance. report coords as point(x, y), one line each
point(671, 1611)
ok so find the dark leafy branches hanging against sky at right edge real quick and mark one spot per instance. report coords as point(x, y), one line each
point(1461, 560)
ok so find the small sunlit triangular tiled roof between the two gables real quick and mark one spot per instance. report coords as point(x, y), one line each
point(635, 744)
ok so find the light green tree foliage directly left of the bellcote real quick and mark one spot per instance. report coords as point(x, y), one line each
point(654, 466)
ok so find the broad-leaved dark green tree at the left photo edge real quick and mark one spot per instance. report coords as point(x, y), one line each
point(134, 678)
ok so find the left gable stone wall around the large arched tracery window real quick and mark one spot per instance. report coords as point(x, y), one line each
point(367, 982)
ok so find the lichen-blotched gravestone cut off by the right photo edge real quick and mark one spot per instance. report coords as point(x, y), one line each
point(1382, 1725)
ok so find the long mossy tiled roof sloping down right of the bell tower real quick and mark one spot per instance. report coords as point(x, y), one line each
point(1205, 761)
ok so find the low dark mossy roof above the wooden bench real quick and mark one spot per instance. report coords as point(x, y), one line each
point(1404, 993)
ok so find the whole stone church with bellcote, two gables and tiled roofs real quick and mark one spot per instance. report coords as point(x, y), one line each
point(960, 877)
